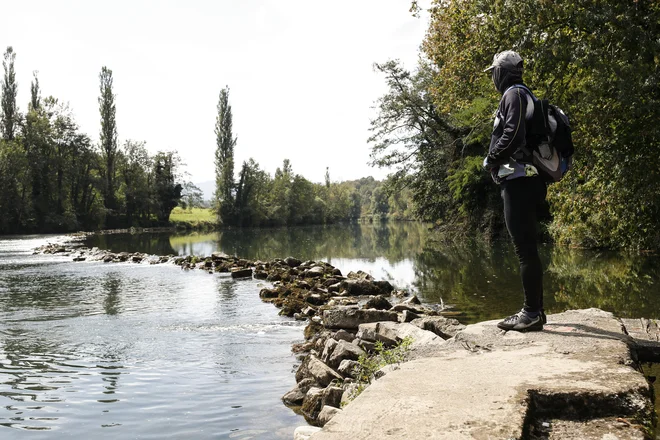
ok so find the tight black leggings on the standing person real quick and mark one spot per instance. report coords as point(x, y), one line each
point(524, 203)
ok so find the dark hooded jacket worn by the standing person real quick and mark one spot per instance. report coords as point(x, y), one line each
point(510, 127)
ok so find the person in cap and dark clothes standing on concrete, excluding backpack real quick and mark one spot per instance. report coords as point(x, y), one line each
point(523, 191)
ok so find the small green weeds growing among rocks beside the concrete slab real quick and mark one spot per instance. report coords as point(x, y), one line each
point(368, 365)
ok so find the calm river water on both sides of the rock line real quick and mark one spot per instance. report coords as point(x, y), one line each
point(138, 351)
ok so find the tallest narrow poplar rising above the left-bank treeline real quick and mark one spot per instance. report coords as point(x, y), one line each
point(108, 134)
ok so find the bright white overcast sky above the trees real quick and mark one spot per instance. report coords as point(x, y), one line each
point(300, 73)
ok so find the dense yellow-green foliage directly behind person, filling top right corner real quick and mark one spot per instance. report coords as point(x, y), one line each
point(596, 60)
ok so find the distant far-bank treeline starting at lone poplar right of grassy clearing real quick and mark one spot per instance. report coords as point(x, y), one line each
point(258, 199)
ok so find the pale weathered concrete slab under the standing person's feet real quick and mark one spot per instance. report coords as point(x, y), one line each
point(574, 380)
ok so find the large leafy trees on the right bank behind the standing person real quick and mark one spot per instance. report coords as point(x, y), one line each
point(597, 60)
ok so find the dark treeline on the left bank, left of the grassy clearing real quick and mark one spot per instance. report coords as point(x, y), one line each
point(54, 178)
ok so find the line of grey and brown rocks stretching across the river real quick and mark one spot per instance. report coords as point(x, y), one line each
point(349, 318)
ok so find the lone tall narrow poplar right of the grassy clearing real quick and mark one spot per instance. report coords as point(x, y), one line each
point(224, 159)
